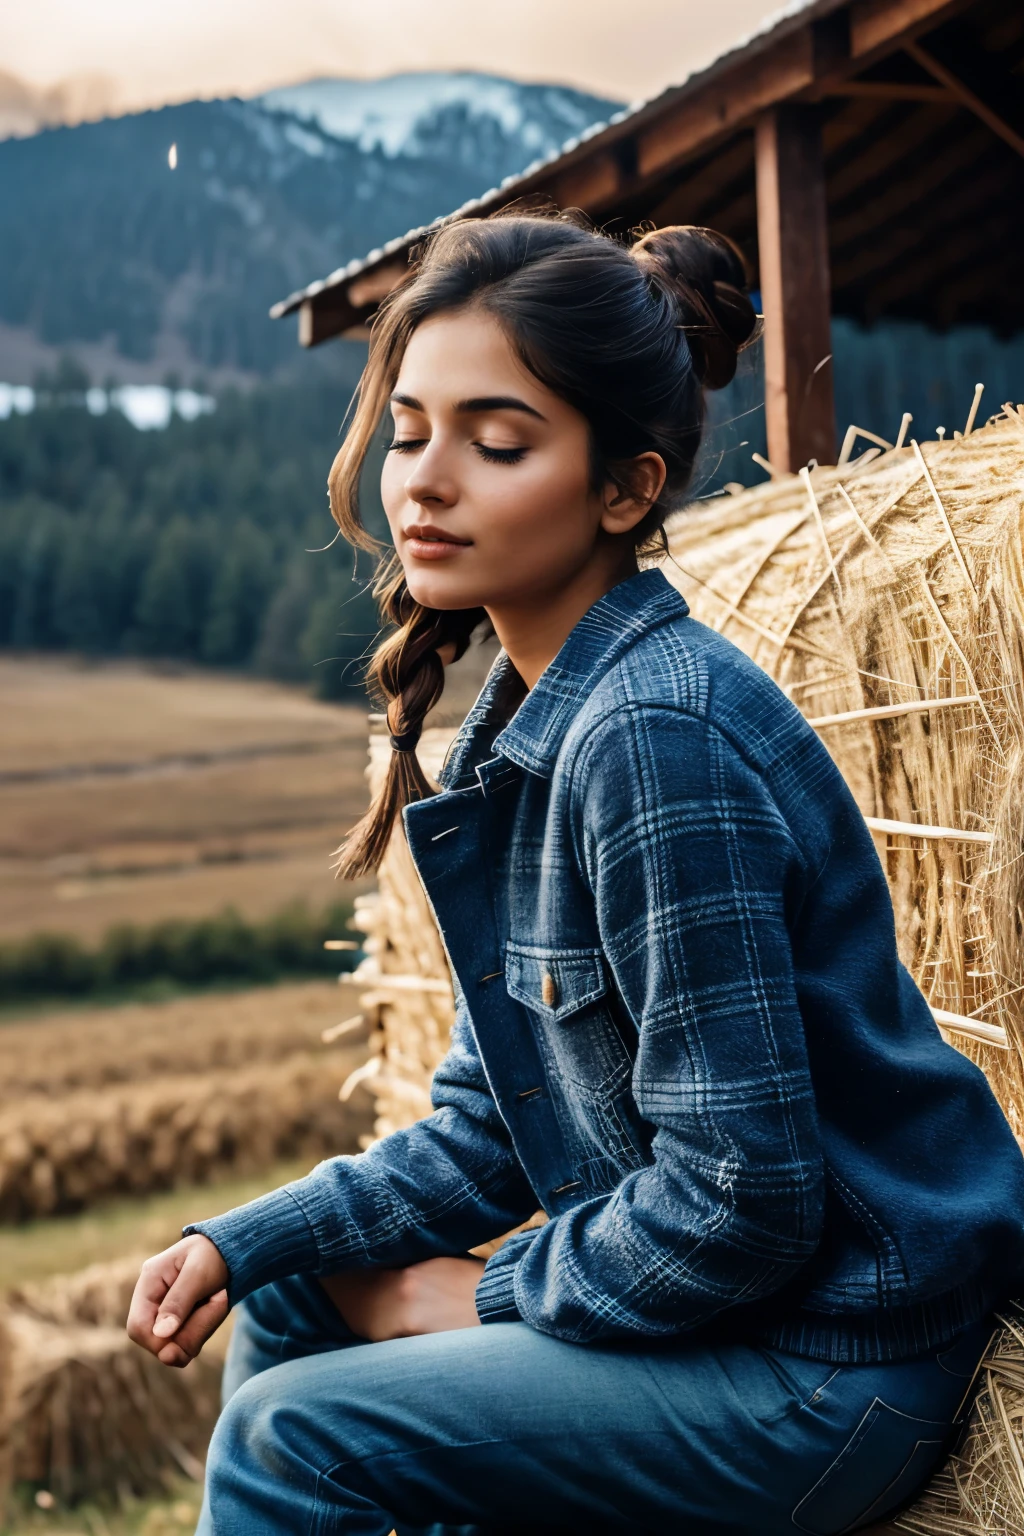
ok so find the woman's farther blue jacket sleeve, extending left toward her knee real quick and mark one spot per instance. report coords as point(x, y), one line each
point(440, 1187)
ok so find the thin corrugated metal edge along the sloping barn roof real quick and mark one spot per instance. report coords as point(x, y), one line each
point(776, 25)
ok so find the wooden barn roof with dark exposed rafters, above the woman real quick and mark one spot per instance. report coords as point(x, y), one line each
point(922, 110)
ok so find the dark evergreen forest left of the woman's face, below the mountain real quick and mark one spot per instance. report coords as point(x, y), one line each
point(203, 543)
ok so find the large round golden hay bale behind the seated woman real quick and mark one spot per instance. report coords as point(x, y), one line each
point(887, 598)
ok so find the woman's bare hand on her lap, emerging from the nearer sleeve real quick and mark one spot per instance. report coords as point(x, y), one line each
point(397, 1303)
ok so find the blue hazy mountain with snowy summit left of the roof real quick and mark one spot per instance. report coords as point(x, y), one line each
point(139, 268)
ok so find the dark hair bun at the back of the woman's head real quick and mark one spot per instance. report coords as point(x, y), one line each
point(705, 276)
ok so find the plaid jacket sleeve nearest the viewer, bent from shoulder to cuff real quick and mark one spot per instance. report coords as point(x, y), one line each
point(695, 875)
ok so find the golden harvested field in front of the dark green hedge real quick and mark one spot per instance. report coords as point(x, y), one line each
point(117, 1127)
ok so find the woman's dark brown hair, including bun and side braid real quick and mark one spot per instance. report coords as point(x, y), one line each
point(630, 337)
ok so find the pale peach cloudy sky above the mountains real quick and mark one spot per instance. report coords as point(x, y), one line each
point(131, 55)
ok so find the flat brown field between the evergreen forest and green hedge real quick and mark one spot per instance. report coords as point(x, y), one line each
point(133, 795)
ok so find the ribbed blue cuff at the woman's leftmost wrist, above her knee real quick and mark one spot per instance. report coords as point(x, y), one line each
point(263, 1242)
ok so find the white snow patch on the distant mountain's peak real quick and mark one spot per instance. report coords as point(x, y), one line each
point(394, 114)
